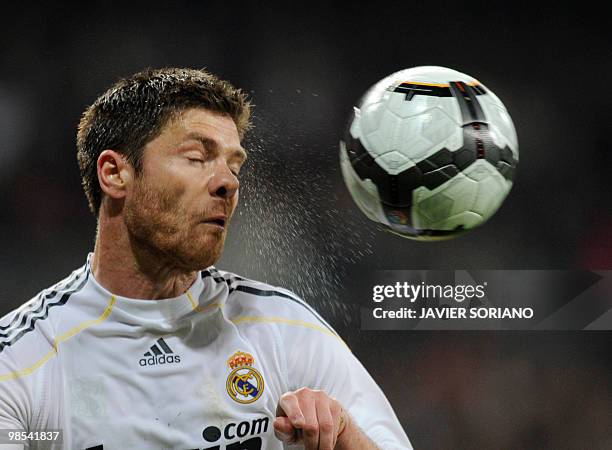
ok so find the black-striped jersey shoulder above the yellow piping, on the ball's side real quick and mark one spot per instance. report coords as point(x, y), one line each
point(252, 300)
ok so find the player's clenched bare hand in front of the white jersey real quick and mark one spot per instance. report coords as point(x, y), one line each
point(310, 417)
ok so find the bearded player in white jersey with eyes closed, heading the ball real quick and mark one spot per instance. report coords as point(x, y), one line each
point(148, 345)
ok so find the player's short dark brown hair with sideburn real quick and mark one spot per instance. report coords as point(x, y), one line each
point(135, 110)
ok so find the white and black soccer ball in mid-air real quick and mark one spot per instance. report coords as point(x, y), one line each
point(429, 152)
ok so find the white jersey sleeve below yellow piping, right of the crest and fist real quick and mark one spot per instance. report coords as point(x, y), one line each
point(317, 358)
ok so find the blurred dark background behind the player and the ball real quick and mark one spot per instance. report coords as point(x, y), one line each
point(305, 65)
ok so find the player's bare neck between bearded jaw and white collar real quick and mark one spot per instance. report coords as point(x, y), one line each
point(129, 269)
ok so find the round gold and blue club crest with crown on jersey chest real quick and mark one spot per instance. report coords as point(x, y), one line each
point(244, 383)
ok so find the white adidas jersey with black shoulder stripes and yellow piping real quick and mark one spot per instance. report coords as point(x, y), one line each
point(204, 370)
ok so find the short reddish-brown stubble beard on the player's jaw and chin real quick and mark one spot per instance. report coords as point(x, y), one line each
point(161, 229)
